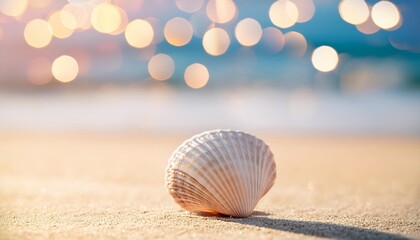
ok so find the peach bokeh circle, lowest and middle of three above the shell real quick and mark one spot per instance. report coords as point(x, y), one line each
point(216, 41)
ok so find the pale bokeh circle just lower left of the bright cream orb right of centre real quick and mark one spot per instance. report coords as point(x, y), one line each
point(248, 32)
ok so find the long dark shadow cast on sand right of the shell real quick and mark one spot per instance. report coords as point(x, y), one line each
point(311, 228)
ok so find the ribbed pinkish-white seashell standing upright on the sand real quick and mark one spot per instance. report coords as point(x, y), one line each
point(221, 172)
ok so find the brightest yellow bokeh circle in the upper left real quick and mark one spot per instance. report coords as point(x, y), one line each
point(106, 18)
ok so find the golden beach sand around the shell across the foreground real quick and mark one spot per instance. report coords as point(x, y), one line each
point(106, 186)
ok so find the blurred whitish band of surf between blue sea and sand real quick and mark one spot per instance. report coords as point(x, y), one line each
point(161, 108)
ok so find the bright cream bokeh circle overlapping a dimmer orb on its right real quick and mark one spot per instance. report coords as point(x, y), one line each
point(283, 13)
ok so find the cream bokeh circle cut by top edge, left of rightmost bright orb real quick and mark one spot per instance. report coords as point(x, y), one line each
point(354, 11)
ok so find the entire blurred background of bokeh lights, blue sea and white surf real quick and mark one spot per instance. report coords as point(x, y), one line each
point(287, 66)
